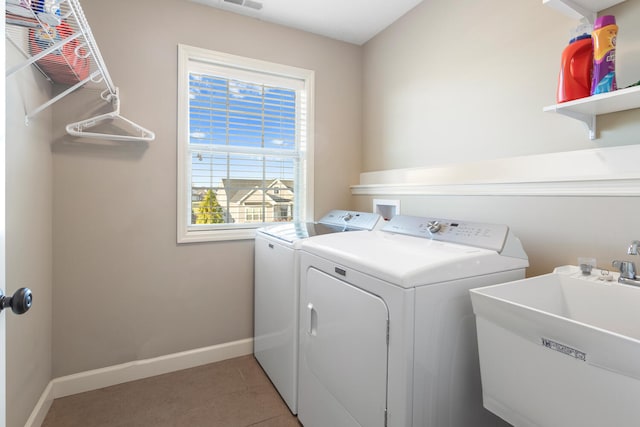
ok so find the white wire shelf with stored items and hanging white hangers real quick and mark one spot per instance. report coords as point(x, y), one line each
point(55, 37)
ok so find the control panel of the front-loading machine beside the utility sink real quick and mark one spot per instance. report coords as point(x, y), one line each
point(488, 236)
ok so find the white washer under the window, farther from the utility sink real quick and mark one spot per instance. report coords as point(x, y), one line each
point(277, 291)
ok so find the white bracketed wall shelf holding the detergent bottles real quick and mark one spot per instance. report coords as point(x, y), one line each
point(586, 109)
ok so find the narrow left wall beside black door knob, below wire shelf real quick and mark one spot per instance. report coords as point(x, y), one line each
point(28, 240)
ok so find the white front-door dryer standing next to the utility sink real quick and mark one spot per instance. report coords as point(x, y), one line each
point(387, 331)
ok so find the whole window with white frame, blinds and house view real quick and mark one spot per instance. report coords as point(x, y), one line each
point(244, 145)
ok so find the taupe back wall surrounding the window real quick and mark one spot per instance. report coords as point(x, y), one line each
point(124, 289)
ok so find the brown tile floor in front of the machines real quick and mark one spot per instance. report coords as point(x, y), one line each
point(231, 393)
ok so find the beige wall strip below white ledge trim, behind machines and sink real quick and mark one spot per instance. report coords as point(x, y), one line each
point(553, 230)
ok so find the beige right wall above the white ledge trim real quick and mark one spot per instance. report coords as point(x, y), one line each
point(465, 80)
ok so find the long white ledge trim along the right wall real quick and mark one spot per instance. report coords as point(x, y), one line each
point(603, 172)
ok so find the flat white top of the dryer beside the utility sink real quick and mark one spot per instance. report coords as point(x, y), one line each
point(409, 261)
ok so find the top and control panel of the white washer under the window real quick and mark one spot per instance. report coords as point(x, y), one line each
point(336, 221)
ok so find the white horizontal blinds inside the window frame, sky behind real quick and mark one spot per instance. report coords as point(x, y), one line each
point(245, 144)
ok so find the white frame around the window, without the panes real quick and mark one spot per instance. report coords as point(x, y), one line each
point(190, 57)
